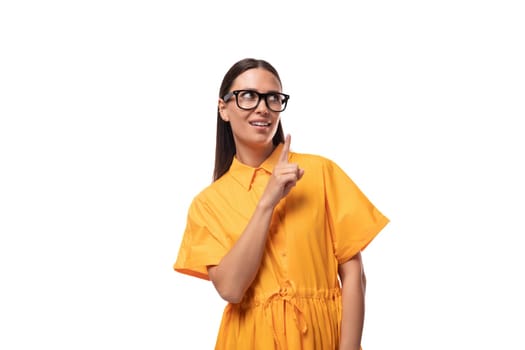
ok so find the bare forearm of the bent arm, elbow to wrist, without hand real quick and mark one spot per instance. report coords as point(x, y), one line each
point(238, 268)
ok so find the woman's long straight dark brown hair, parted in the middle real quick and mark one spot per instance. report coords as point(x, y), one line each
point(225, 145)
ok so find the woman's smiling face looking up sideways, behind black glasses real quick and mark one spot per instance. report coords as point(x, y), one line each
point(253, 128)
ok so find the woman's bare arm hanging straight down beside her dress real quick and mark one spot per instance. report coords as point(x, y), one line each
point(353, 280)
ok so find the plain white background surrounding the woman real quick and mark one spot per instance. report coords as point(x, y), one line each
point(107, 130)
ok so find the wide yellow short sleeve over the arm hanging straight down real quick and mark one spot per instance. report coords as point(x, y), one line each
point(353, 220)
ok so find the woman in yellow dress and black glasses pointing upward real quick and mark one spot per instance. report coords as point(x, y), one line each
point(278, 233)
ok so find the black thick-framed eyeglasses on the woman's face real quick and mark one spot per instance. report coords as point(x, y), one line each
point(250, 99)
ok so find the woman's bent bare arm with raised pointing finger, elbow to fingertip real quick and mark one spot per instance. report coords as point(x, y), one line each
point(238, 268)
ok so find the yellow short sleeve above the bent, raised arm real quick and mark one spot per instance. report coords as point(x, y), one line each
point(202, 243)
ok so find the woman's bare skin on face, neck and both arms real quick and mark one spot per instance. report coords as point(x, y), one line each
point(238, 268)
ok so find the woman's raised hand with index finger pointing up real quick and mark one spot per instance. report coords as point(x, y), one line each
point(284, 177)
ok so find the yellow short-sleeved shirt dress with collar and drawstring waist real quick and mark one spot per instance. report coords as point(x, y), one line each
point(295, 300)
